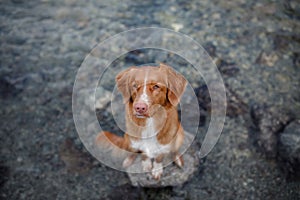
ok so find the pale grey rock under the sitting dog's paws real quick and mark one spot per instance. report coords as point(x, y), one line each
point(172, 175)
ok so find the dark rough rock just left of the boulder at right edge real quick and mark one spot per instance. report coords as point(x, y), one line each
point(268, 122)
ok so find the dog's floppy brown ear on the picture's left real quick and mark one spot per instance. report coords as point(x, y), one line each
point(122, 80)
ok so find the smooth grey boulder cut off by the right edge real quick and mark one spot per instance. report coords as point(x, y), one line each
point(289, 150)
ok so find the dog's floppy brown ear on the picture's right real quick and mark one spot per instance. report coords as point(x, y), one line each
point(176, 84)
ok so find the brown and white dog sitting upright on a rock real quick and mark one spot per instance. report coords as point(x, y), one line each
point(151, 95)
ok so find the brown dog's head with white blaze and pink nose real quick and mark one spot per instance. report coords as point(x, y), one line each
point(148, 87)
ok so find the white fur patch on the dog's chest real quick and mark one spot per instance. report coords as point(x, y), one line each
point(148, 144)
